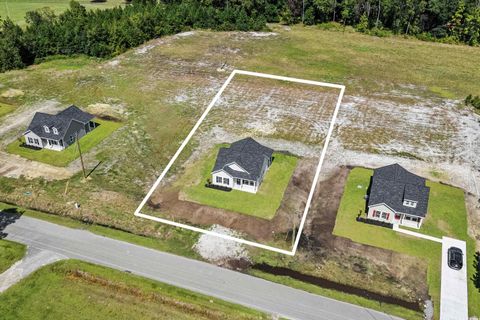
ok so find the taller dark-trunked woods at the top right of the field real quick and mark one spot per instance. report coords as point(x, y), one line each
point(453, 21)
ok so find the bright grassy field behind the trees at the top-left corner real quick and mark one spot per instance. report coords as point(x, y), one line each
point(16, 9)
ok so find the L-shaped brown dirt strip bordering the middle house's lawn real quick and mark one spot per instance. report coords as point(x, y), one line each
point(168, 202)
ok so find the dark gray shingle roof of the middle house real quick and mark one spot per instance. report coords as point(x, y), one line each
point(248, 154)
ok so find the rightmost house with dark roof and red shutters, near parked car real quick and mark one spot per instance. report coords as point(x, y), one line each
point(397, 196)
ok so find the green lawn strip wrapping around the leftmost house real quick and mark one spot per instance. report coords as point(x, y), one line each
point(63, 158)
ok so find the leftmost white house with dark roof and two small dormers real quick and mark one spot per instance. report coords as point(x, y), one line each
point(56, 132)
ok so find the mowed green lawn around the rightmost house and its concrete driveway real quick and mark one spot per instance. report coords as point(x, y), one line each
point(447, 216)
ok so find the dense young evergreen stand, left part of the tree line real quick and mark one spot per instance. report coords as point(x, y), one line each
point(108, 32)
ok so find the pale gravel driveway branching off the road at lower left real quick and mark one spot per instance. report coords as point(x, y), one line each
point(33, 260)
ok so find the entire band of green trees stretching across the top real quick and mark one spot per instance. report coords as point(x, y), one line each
point(108, 32)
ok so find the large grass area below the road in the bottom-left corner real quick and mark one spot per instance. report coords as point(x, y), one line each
point(77, 290)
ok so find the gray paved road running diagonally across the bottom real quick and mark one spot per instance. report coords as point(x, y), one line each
point(186, 273)
